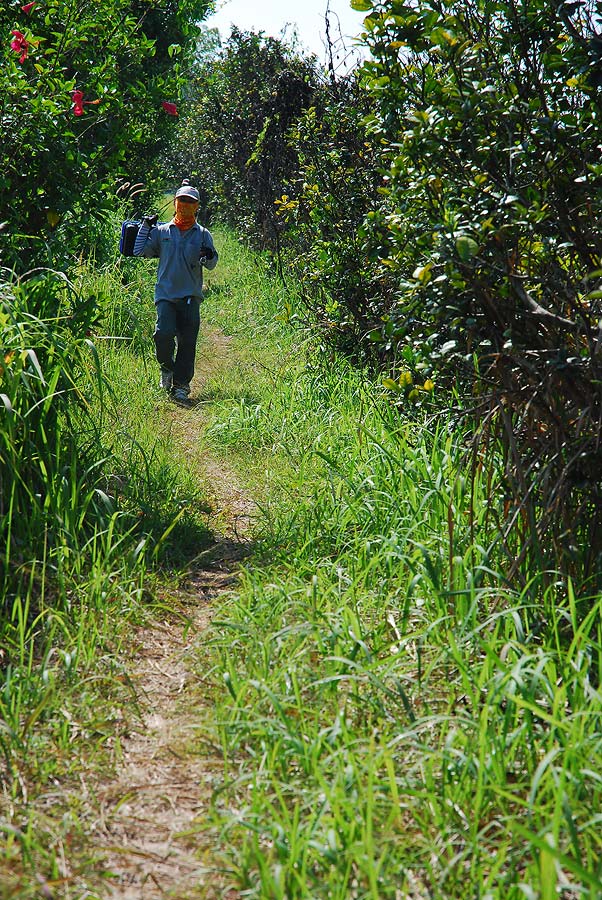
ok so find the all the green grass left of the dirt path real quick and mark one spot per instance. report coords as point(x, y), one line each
point(91, 508)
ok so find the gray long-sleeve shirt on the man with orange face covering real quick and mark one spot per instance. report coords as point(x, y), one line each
point(180, 271)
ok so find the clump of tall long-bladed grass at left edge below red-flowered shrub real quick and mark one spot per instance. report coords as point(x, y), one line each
point(53, 508)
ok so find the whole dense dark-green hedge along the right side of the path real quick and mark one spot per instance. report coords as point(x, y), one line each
point(437, 208)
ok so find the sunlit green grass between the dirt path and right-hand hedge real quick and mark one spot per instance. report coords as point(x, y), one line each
point(397, 718)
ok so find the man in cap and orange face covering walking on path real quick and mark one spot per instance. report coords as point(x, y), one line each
point(183, 247)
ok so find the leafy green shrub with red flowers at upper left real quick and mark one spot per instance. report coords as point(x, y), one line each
point(59, 170)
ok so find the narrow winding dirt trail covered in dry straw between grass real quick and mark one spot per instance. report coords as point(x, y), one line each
point(162, 786)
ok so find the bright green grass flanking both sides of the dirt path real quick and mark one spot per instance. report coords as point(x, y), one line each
point(398, 718)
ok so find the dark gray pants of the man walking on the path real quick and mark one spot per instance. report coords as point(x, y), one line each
point(176, 332)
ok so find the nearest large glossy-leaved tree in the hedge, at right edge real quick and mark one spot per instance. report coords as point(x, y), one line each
point(489, 114)
